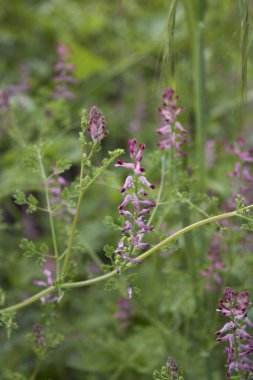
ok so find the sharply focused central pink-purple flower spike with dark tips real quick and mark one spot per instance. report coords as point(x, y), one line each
point(135, 207)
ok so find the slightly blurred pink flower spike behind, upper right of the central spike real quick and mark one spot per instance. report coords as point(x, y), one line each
point(172, 132)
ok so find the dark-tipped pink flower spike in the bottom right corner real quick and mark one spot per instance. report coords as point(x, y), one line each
point(234, 332)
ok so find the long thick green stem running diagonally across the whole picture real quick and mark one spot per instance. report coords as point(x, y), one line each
point(141, 257)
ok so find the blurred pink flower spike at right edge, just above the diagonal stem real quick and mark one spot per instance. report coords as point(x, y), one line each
point(241, 173)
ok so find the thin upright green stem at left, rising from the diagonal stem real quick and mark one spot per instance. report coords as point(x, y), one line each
point(50, 213)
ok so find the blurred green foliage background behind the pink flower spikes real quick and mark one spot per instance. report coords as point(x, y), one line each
point(125, 54)
